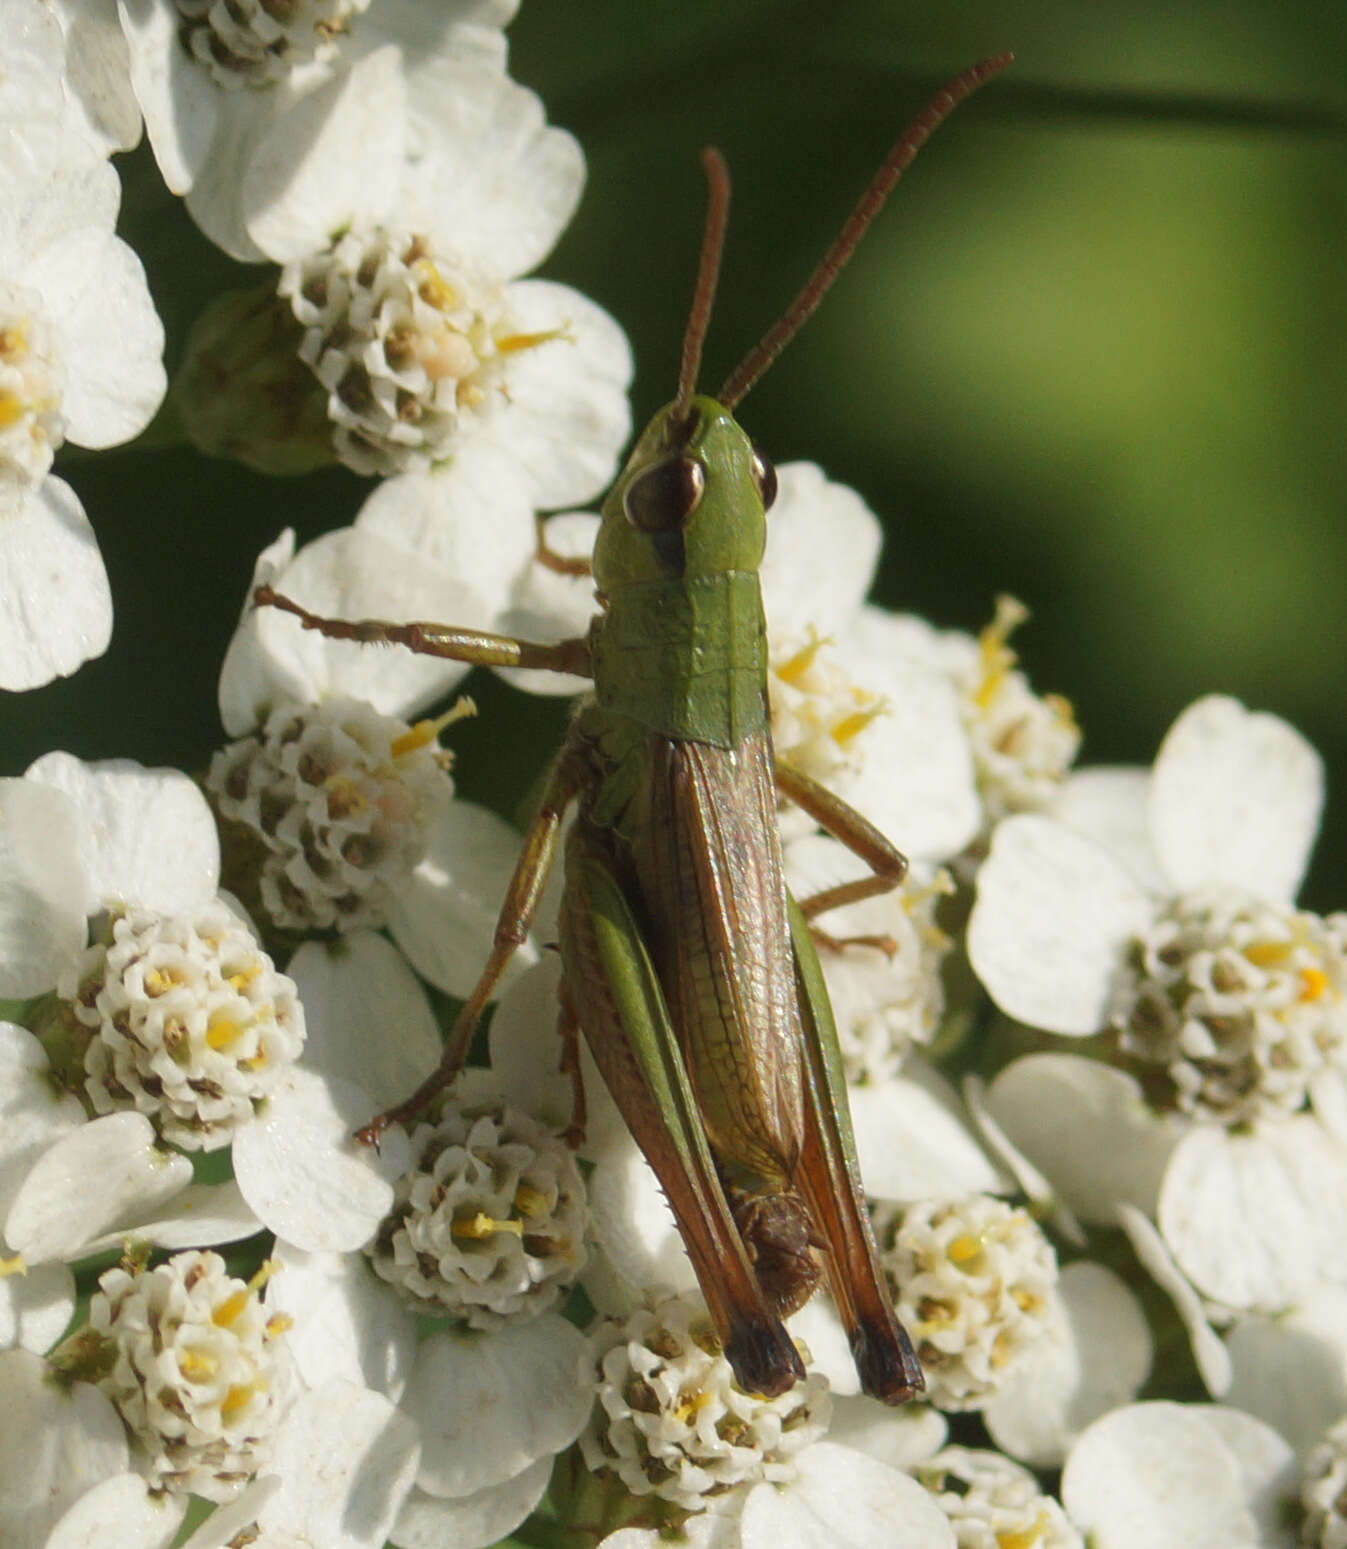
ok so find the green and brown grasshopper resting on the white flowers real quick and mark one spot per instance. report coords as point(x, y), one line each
point(685, 961)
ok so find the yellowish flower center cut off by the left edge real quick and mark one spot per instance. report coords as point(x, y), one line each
point(32, 425)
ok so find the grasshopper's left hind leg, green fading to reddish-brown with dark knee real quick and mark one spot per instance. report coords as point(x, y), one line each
point(612, 984)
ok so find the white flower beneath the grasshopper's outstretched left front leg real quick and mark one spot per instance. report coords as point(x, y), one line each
point(354, 803)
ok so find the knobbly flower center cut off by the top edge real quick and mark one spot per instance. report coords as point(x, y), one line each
point(261, 43)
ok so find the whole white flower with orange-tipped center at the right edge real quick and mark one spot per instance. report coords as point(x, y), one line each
point(1225, 1008)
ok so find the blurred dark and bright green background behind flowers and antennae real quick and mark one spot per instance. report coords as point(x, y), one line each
point(1095, 352)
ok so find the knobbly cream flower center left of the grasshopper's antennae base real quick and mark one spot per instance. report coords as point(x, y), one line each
point(410, 348)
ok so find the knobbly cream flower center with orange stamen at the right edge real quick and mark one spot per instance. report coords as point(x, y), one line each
point(1235, 1006)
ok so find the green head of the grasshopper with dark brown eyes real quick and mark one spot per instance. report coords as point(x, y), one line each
point(691, 501)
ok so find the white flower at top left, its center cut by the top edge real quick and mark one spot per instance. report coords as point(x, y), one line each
point(236, 97)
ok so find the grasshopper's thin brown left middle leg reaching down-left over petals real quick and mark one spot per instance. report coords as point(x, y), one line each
point(512, 930)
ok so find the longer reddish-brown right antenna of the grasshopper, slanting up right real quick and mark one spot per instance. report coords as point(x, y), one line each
point(855, 227)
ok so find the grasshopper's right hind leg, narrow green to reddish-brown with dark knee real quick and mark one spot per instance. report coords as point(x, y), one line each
point(831, 1181)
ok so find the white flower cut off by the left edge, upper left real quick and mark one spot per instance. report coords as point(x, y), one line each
point(80, 357)
